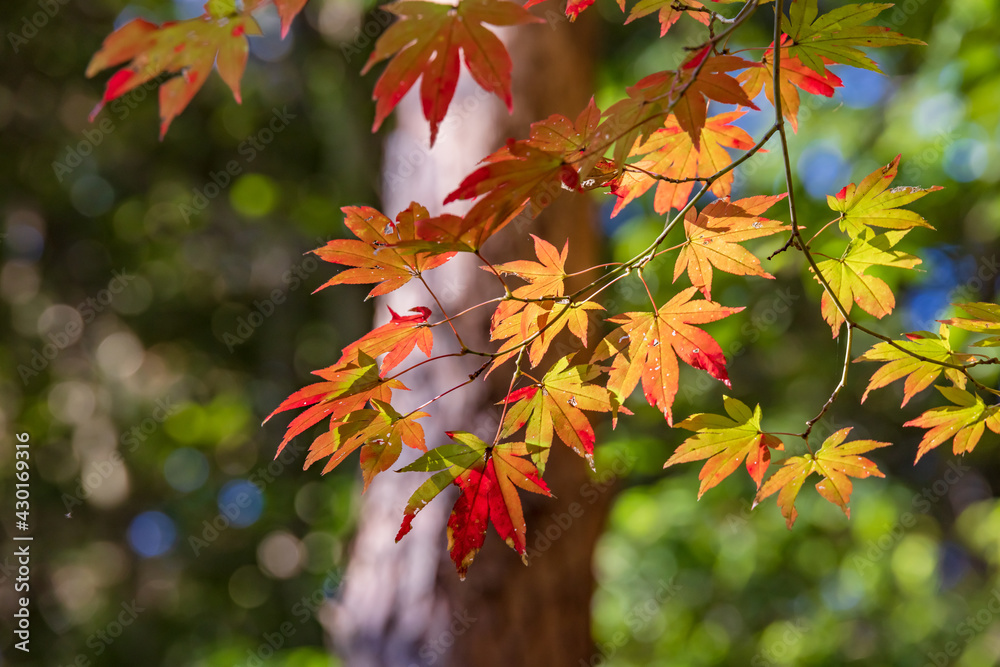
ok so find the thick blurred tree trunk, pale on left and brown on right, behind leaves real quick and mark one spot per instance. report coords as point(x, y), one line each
point(402, 604)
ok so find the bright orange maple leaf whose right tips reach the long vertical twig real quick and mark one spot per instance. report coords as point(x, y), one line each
point(713, 235)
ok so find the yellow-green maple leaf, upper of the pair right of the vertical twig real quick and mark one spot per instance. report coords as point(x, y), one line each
point(870, 204)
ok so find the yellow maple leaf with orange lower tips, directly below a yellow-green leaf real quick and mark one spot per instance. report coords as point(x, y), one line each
point(848, 280)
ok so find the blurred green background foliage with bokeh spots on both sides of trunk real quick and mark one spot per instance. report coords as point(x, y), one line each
point(159, 308)
